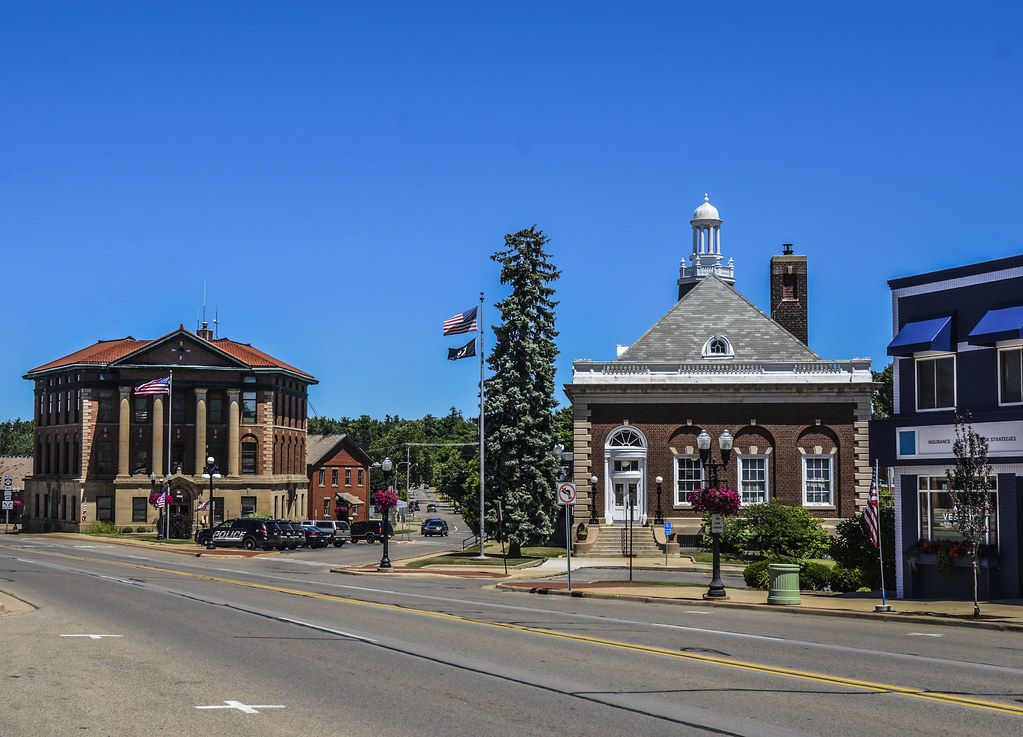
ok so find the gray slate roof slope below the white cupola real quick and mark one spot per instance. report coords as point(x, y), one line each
point(713, 307)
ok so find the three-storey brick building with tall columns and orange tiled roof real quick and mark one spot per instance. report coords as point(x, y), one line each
point(102, 445)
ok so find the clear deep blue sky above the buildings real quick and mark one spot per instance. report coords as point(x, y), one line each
point(339, 174)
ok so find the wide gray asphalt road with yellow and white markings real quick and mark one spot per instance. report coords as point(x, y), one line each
point(135, 642)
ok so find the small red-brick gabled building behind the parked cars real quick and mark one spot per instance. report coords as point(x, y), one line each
point(339, 478)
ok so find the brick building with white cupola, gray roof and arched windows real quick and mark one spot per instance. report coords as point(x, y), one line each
point(715, 362)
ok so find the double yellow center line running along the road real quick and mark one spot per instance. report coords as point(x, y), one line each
point(952, 700)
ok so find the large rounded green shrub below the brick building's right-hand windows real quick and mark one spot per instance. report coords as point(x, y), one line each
point(782, 532)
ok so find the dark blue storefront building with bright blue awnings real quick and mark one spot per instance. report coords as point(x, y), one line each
point(958, 343)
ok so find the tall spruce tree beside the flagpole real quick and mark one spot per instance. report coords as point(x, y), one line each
point(522, 465)
